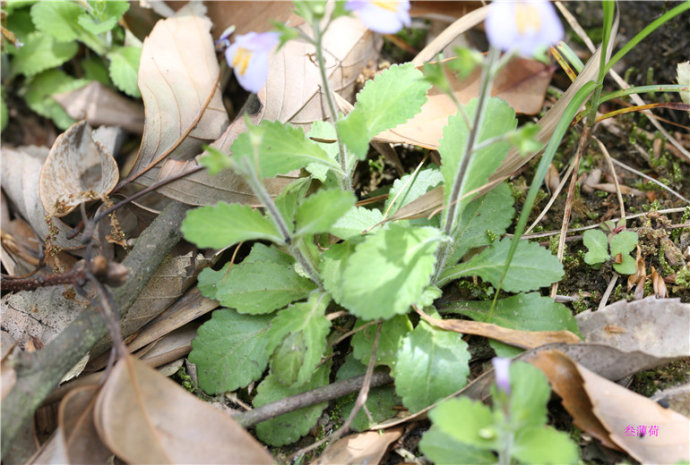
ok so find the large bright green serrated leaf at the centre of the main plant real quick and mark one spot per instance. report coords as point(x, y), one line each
point(389, 271)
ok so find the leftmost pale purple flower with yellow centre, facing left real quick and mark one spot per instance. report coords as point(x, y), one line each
point(248, 56)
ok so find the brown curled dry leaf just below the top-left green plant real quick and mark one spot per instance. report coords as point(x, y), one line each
point(100, 105)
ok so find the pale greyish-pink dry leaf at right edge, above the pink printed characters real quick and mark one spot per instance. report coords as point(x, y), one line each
point(643, 322)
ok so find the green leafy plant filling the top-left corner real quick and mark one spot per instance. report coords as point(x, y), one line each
point(48, 35)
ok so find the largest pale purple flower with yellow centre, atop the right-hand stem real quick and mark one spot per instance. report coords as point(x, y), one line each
point(526, 26)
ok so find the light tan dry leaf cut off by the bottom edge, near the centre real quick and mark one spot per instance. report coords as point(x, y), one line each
point(368, 447)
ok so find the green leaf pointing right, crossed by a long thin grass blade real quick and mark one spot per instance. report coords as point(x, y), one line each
point(532, 267)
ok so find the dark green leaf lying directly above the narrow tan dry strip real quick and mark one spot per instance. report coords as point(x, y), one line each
point(529, 312)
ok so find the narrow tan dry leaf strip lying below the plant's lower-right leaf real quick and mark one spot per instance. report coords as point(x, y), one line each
point(514, 337)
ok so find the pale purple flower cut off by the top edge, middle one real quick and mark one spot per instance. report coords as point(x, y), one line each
point(383, 16)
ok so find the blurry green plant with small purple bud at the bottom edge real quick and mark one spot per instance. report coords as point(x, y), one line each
point(514, 429)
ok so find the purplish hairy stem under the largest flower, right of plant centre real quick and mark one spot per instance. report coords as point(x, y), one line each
point(452, 214)
